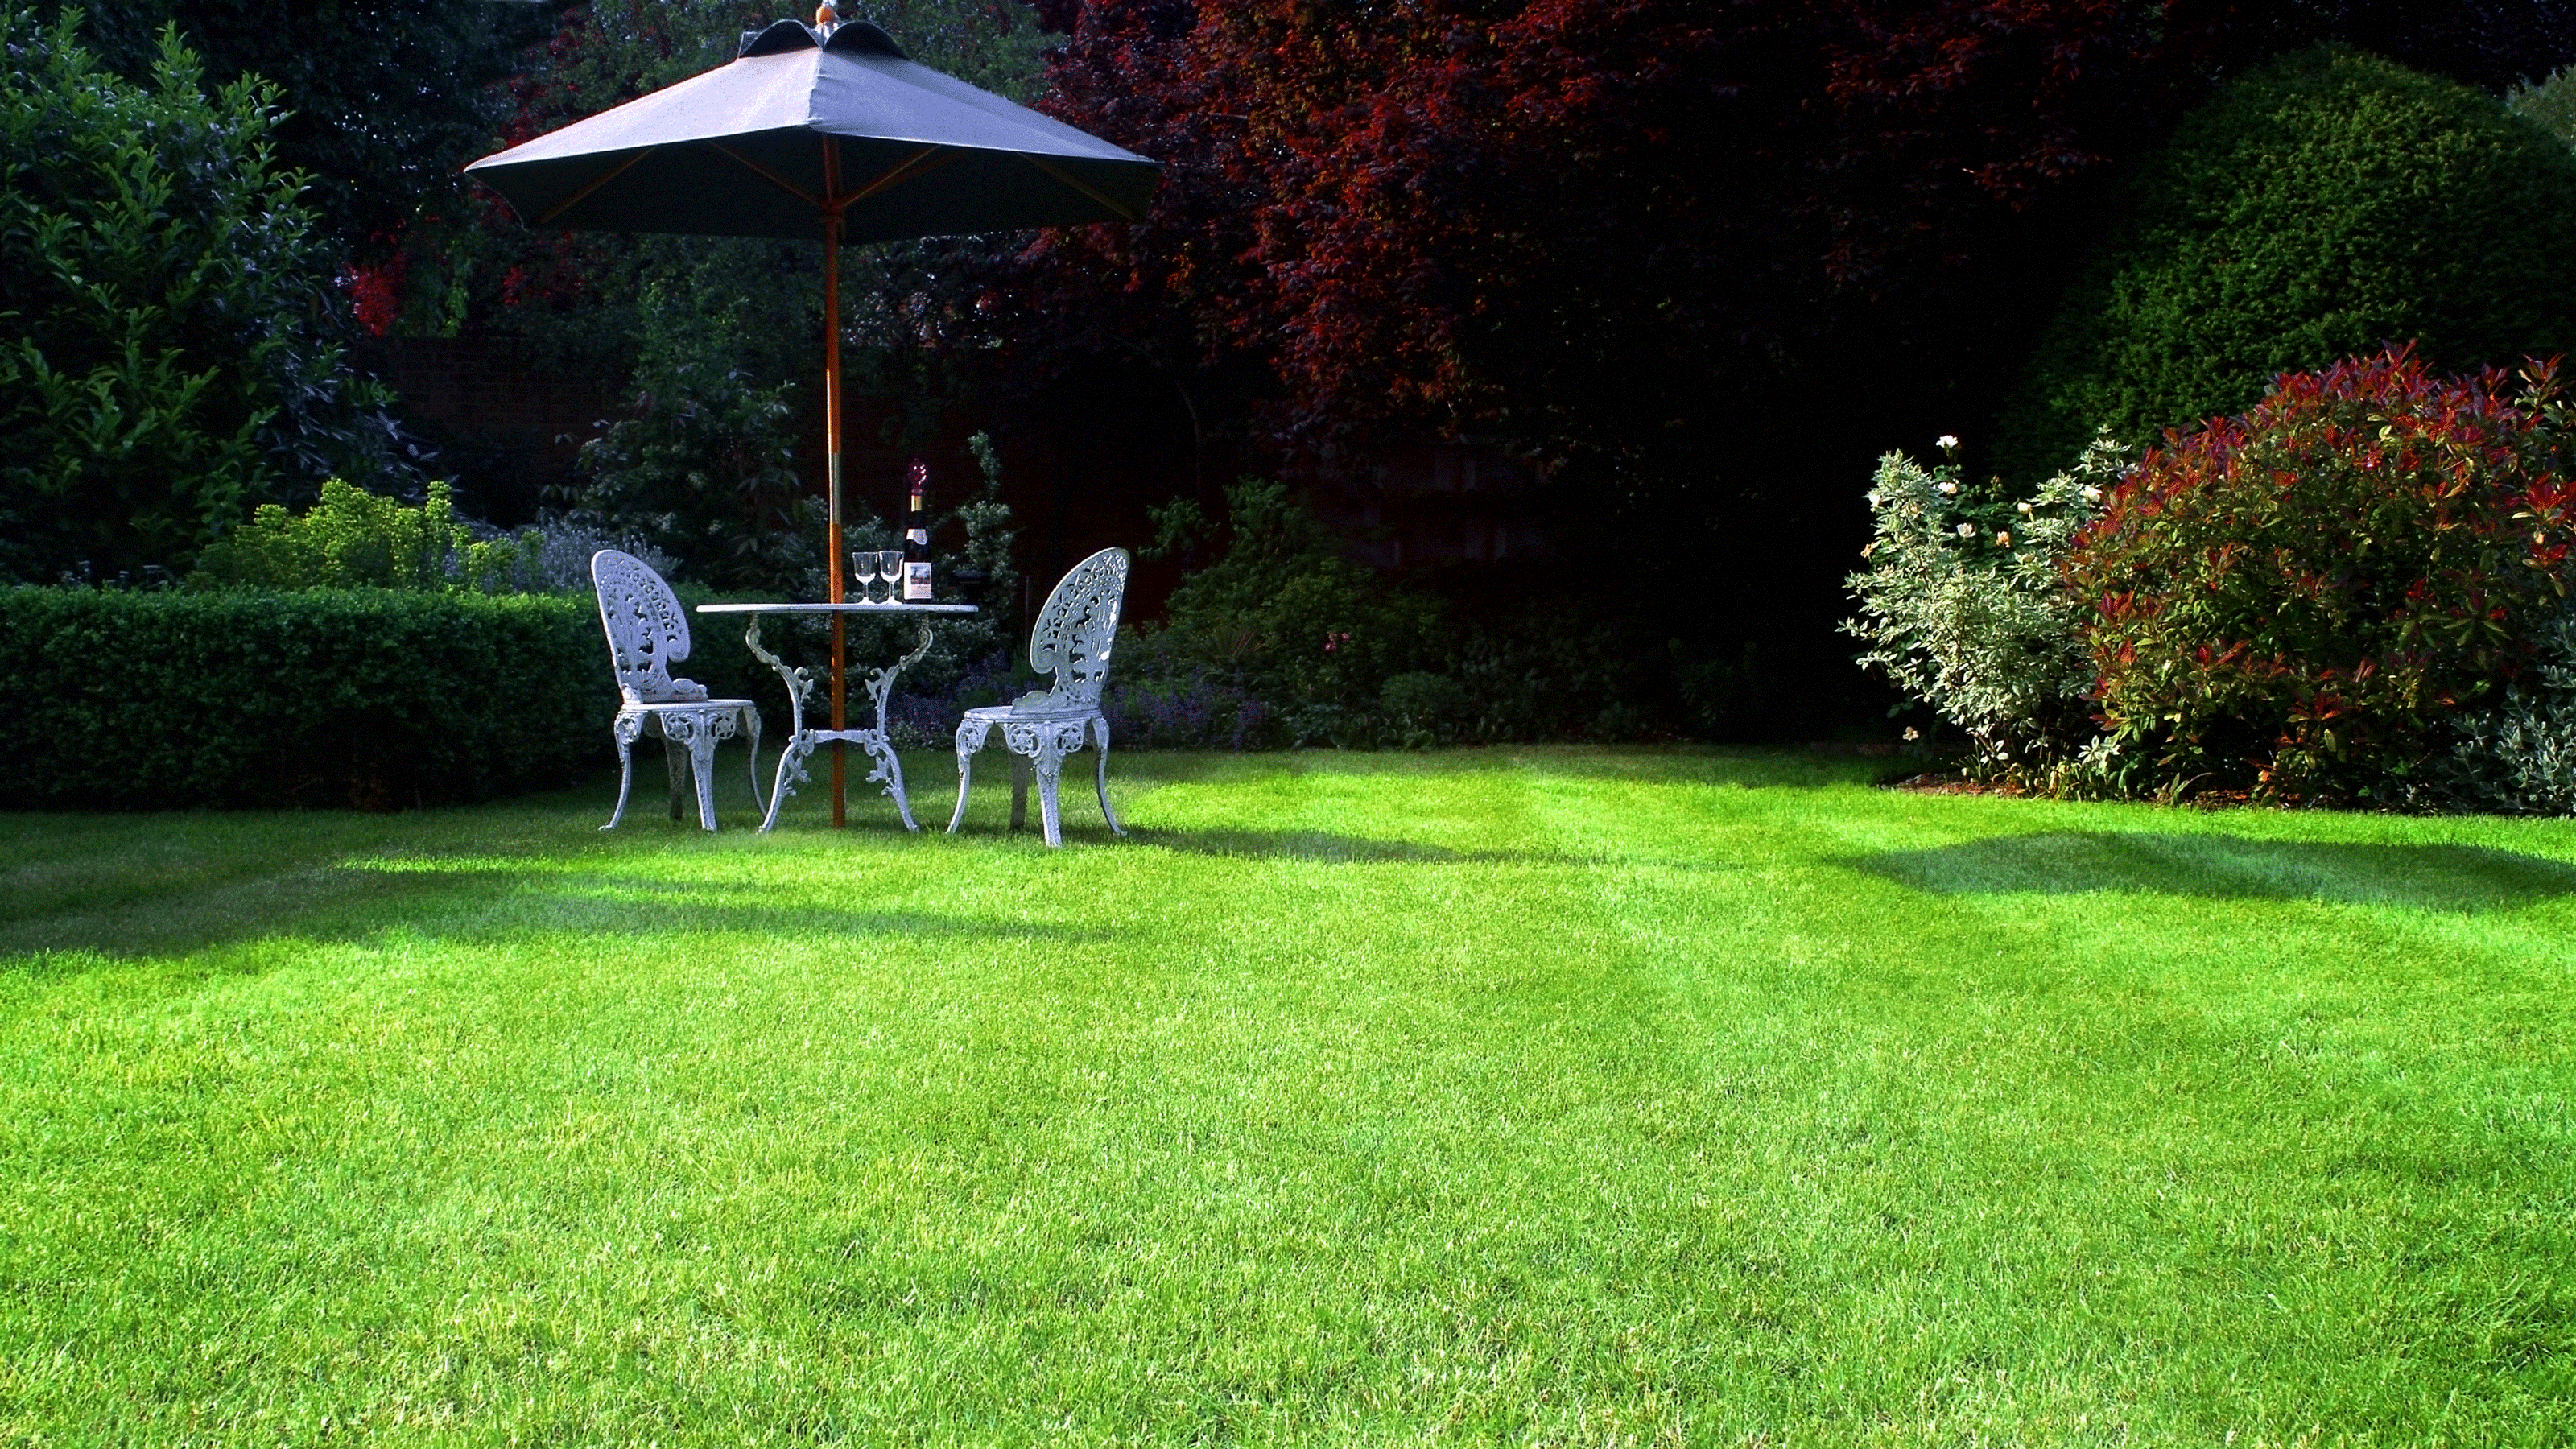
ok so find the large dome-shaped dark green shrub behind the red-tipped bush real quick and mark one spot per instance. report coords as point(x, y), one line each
point(2315, 210)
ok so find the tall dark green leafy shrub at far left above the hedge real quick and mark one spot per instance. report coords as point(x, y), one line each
point(169, 355)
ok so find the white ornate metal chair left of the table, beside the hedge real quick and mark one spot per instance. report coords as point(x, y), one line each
point(645, 636)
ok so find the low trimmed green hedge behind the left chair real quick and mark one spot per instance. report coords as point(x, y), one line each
point(365, 700)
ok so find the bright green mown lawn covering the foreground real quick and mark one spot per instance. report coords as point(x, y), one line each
point(1575, 1097)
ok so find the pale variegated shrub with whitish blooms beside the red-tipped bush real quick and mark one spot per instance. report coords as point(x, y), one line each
point(1962, 607)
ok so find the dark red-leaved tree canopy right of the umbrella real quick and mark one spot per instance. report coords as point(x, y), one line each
point(1586, 223)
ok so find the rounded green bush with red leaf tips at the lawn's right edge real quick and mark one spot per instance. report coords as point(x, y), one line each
point(2299, 599)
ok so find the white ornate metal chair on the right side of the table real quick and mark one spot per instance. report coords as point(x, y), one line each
point(1073, 638)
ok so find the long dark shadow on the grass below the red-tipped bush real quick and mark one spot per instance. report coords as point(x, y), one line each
point(2224, 868)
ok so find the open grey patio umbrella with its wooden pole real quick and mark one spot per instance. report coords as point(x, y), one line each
point(828, 133)
